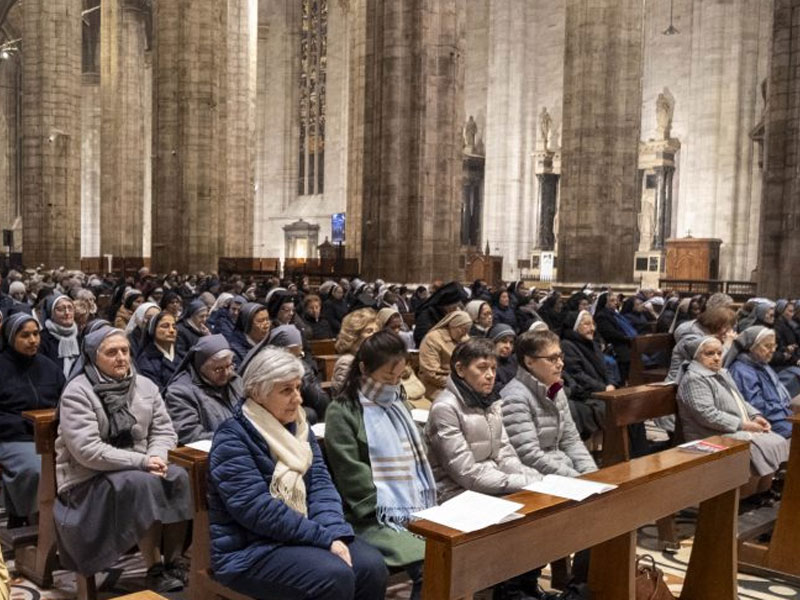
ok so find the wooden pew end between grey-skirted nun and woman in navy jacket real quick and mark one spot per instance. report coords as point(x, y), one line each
point(202, 585)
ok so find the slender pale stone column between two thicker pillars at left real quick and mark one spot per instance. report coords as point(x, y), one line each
point(123, 136)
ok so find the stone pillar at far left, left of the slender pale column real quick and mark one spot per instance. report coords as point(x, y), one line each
point(51, 124)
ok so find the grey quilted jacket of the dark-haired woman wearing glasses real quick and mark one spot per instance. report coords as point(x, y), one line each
point(542, 430)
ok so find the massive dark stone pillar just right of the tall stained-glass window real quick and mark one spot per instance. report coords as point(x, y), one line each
point(414, 114)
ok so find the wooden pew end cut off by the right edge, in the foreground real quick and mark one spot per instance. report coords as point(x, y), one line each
point(780, 557)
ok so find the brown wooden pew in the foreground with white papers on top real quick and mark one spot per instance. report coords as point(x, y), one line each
point(458, 564)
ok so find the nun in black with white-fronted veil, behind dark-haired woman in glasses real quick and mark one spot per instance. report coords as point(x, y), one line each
point(585, 369)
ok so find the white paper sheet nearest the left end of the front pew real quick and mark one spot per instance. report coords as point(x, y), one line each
point(471, 511)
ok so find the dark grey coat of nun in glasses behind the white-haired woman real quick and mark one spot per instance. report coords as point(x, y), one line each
point(196, 408)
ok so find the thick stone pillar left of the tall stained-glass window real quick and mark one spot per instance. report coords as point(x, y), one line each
point(202, 167)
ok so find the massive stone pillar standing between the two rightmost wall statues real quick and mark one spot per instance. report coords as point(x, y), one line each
point(602, 120)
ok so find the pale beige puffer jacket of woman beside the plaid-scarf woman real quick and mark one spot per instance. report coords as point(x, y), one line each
point(468, 449)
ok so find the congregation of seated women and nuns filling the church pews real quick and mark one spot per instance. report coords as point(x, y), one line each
point(136, 367)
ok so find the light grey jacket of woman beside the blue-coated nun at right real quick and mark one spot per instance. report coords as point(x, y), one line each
point(707, 403)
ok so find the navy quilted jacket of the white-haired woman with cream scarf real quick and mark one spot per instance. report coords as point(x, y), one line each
point(246, 522)
